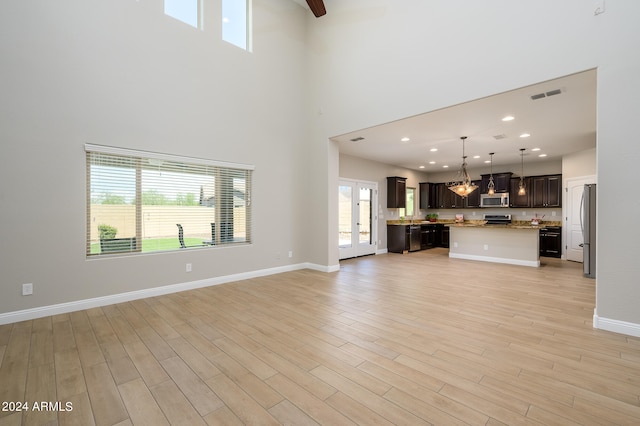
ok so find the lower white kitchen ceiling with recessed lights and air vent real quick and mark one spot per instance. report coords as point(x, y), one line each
point(560, 122)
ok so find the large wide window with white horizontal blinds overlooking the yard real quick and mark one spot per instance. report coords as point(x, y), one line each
point(146, 202)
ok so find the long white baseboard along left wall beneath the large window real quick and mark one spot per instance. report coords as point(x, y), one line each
point(78, 305)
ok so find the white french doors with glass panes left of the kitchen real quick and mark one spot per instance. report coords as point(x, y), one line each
point(357, 218)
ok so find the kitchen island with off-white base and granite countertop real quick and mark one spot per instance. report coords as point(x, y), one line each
point(512, 244)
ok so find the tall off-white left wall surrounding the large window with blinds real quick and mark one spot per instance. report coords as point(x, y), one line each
point(122, 73)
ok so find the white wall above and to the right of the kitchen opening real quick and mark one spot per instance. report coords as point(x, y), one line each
point(375, 61)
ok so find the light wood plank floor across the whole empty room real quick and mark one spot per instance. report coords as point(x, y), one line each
point(389, 339)
